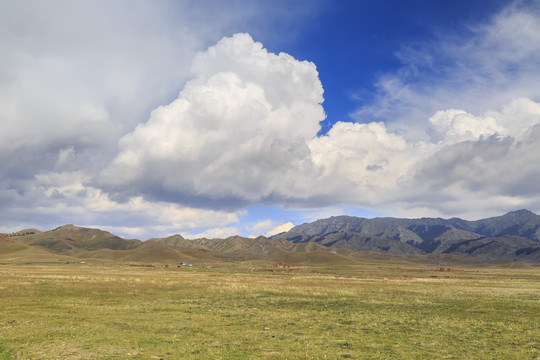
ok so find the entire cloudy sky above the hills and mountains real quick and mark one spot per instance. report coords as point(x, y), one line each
point(211, 119)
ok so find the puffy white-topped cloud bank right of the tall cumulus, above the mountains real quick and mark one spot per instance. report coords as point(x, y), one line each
point(471, 165)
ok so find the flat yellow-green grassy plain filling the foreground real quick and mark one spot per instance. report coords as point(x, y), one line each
point(371, 311)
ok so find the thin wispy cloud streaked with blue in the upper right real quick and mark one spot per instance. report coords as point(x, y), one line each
point(489, 65)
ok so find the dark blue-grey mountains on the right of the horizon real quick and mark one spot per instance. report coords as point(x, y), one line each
point(514, 236)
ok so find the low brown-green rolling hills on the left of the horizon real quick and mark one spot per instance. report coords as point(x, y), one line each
point(73, 243)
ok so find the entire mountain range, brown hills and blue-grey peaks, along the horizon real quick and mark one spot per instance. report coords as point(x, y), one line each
point(339, 239)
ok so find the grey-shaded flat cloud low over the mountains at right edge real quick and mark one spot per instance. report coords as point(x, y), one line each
point(493, 173)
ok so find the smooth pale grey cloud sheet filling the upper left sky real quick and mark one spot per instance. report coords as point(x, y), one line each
point(73, 76)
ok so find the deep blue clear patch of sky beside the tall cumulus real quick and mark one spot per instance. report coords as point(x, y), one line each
point(354, 42)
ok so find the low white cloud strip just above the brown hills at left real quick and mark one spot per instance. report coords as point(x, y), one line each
point(67, 196)
